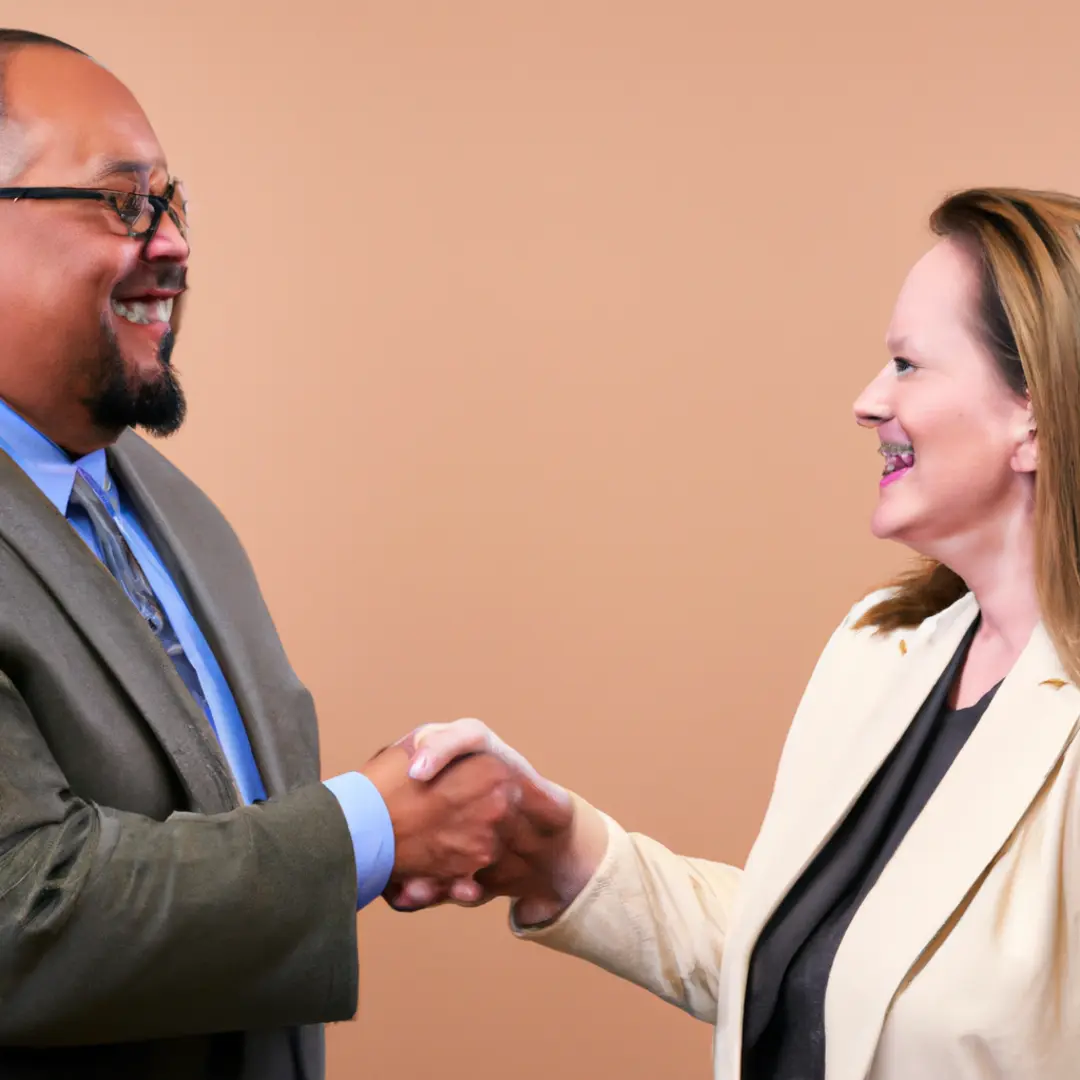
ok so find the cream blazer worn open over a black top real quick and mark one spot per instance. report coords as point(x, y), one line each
point(964, 962)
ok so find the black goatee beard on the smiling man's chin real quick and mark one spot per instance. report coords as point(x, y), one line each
point(156, 406)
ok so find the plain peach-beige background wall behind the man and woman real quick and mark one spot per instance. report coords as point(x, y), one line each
point(522, 350)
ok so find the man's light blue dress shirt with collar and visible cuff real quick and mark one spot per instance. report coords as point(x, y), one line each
point(53, 471)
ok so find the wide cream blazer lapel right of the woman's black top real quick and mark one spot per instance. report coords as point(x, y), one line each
point(982, 799)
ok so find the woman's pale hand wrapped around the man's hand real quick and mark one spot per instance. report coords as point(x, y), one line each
point(549, 848)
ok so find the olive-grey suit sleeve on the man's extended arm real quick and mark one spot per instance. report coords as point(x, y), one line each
point(118, 928)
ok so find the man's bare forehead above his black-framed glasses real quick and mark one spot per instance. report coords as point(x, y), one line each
point(78, 118)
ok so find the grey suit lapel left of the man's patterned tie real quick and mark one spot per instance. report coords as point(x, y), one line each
point(112, 627)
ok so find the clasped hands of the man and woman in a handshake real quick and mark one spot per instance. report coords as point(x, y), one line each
point(474, 820)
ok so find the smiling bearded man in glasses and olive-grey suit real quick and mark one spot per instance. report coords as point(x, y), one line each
point(179, 892)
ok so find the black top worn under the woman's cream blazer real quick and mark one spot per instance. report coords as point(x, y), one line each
point(785, 1021)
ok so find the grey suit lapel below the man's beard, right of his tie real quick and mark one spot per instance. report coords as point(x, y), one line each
point(175, 538)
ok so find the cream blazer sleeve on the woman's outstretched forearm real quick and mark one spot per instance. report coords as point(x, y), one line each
point(652, 917)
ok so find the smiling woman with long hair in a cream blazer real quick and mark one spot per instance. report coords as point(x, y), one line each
point(912, 904)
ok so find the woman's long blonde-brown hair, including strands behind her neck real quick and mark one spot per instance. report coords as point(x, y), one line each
point(1028, 245)
